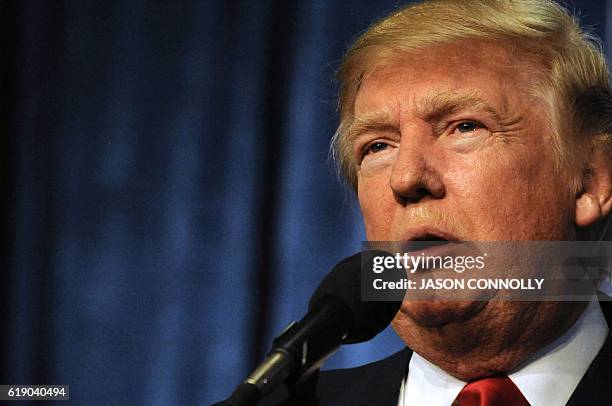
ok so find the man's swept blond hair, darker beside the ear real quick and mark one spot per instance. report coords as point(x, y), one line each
point(572, 79)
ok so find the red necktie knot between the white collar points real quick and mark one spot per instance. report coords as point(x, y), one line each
point(493, 391)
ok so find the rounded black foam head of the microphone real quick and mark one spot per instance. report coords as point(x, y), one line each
point(343, 284)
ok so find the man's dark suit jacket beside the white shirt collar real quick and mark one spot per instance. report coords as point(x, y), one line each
point(379, 383)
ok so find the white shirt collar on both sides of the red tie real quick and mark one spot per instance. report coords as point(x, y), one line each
point(549, 378)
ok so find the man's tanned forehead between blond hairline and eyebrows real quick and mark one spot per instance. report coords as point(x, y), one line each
point(466, 70)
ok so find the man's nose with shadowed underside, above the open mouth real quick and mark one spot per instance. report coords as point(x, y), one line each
point(414, 176)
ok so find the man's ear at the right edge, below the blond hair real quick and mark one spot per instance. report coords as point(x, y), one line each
point(594, 201)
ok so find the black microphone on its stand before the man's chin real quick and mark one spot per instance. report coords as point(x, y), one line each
point(336, 316)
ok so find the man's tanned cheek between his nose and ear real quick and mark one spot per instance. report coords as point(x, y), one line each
point(518, 197)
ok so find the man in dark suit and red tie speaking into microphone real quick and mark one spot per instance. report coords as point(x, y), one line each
point(480, 121)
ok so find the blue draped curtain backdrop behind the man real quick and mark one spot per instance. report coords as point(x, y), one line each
point(169, 203)
